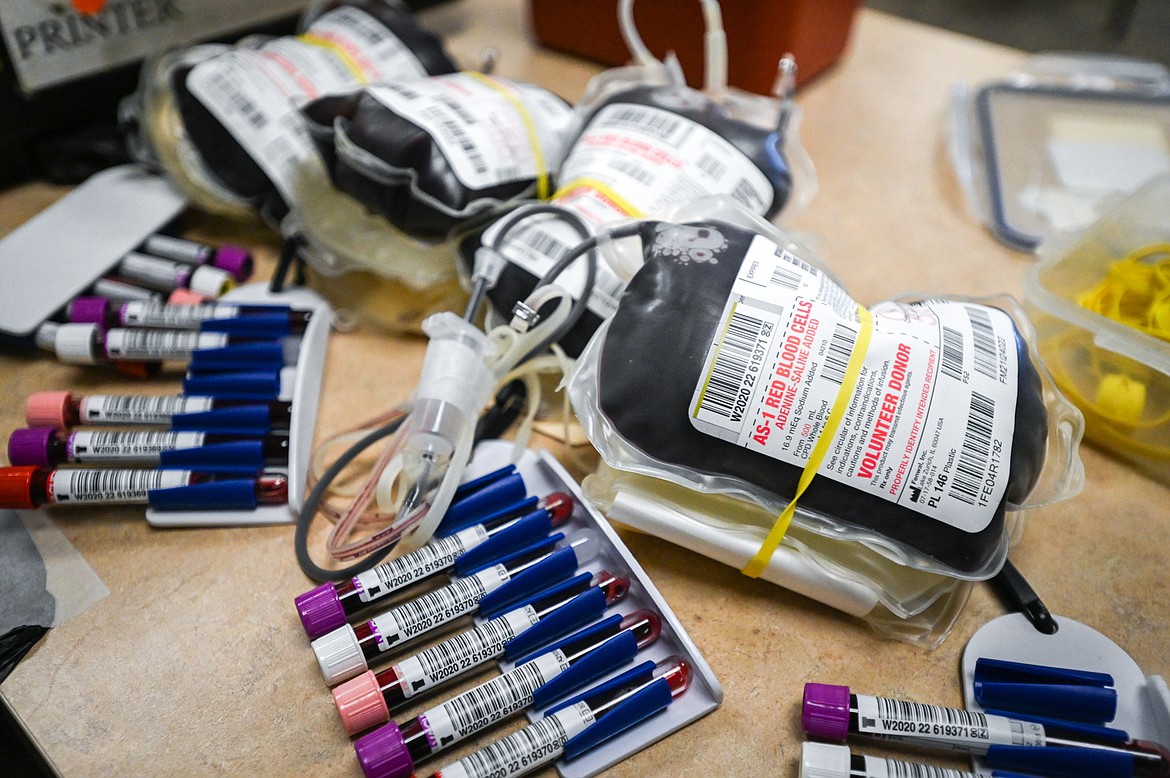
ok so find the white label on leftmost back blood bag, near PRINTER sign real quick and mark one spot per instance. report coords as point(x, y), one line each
point(256, 94)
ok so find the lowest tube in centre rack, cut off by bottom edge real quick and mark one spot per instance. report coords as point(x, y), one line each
point(583, 724)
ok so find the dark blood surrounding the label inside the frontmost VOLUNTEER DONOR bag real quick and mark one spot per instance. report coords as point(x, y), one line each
point(652, 359)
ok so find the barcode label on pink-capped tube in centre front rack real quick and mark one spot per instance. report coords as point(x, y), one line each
point(464, 652)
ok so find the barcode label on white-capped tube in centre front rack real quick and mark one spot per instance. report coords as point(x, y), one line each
point(441, 607)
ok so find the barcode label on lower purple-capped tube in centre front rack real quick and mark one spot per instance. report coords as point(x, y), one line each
point(491, 703)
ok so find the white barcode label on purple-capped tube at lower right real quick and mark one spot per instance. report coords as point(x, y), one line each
point(966, 732)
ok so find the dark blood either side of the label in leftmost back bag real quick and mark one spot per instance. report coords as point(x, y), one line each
point(224, 155)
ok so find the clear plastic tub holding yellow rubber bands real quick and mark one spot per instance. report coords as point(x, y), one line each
point(1117, 375)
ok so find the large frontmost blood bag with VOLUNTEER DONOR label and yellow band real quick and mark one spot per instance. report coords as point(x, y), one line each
point(940, 418)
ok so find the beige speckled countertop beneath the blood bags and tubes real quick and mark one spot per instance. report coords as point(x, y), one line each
point(195, 665)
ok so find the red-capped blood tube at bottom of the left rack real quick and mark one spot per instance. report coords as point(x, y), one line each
point(25, 488)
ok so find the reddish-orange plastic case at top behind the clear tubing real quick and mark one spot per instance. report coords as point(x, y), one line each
point(760, 33)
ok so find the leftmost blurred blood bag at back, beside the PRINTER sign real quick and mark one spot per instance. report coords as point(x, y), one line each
point(224, 121)
